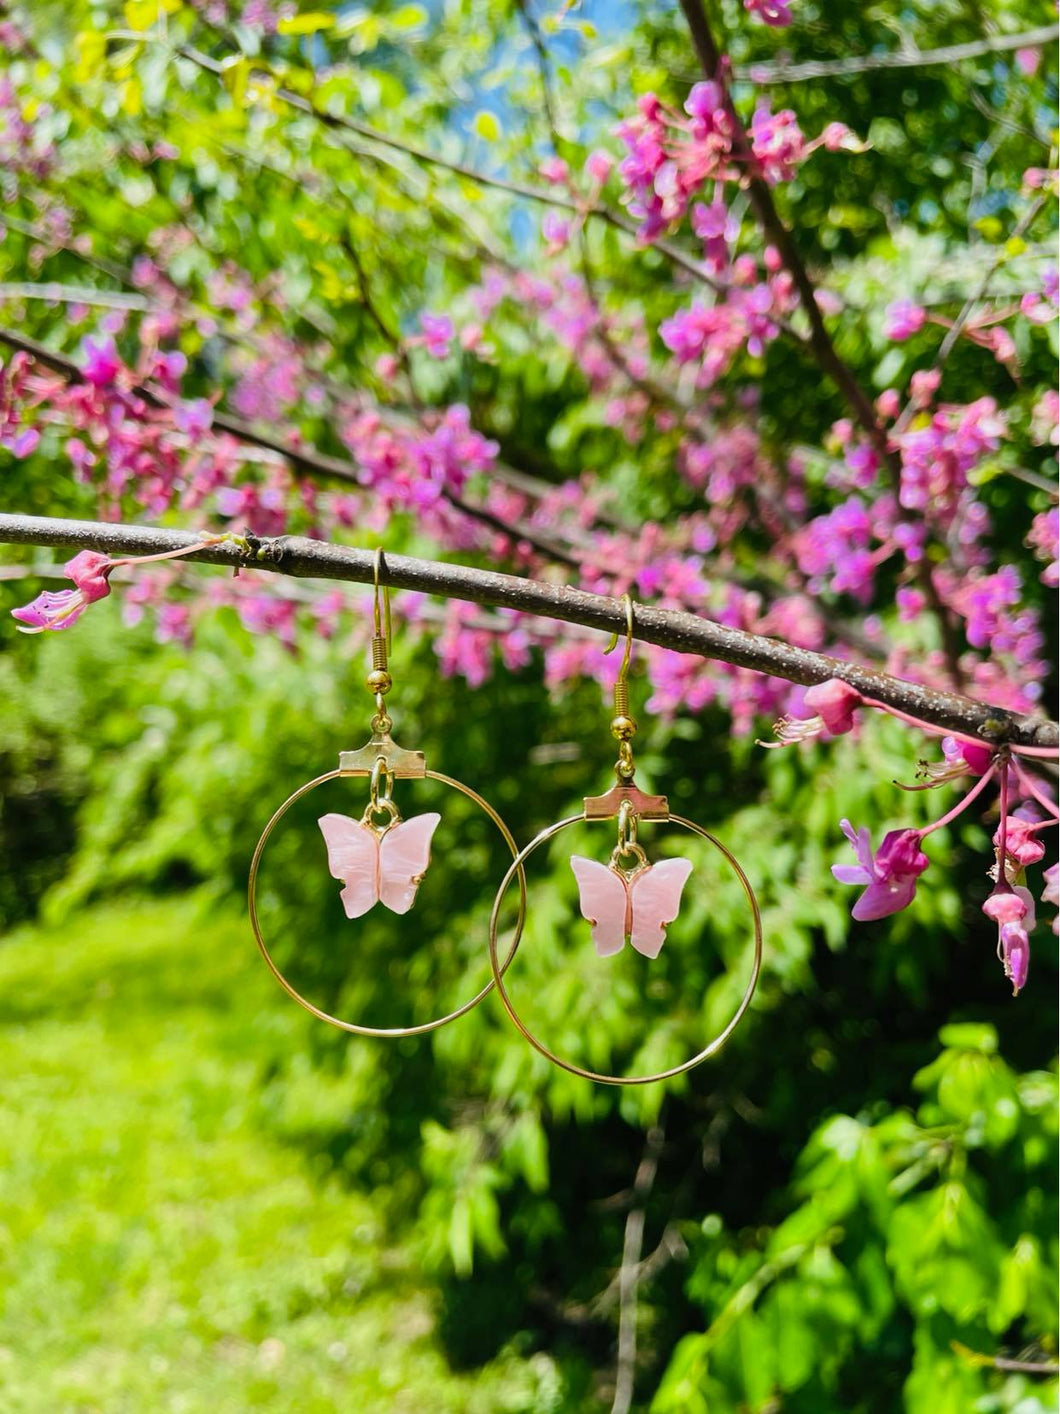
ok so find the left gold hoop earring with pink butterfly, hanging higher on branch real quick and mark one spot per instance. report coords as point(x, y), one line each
point(379, 858)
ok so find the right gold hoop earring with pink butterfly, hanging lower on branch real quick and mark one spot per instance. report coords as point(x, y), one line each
point(627, 900)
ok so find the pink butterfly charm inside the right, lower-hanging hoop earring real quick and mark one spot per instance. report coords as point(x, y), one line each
point(637, 908)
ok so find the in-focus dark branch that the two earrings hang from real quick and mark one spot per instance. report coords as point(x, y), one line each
point(666, 629)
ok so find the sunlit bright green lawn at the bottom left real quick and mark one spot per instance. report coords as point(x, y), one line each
point(160, 1251)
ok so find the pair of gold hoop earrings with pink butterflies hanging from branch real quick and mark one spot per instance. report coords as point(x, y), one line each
point(382, 859)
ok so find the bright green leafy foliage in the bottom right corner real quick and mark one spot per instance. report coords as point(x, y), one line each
point(914, 1222)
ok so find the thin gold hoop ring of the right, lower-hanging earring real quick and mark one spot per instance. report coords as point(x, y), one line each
point(712, 1048)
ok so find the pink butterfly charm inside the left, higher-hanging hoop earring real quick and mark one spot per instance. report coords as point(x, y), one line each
point(378, 866)
